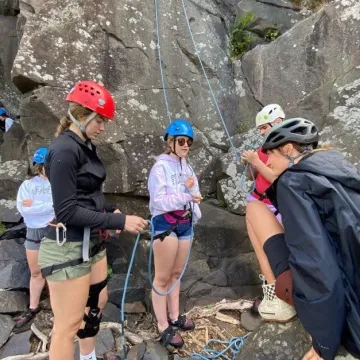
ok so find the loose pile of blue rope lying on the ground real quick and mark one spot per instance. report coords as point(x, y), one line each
point(233, 346)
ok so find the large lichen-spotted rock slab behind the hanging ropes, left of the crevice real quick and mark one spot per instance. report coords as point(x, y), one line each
point(117, 47)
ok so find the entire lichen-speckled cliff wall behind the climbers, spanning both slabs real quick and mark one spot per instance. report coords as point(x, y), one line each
point(303, 70)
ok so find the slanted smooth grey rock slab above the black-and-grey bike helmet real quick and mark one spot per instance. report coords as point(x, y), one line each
point(316, 75)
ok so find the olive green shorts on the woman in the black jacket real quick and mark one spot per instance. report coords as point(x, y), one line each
point(51, 253)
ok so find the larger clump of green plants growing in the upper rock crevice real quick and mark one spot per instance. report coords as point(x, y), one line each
point(240, 40)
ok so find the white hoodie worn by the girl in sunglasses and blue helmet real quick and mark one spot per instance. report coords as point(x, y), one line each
point(167, 188)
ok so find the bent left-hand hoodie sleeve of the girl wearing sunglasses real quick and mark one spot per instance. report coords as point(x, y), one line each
point(159, 198)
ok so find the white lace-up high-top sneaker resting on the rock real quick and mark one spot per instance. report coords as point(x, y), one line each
point(271, 307)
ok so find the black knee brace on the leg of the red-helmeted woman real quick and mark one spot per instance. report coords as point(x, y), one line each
point(93, 318)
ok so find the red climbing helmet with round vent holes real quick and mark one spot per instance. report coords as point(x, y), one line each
point(93, 96)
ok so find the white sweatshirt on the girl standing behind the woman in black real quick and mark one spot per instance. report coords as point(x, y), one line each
point(41, 211)
